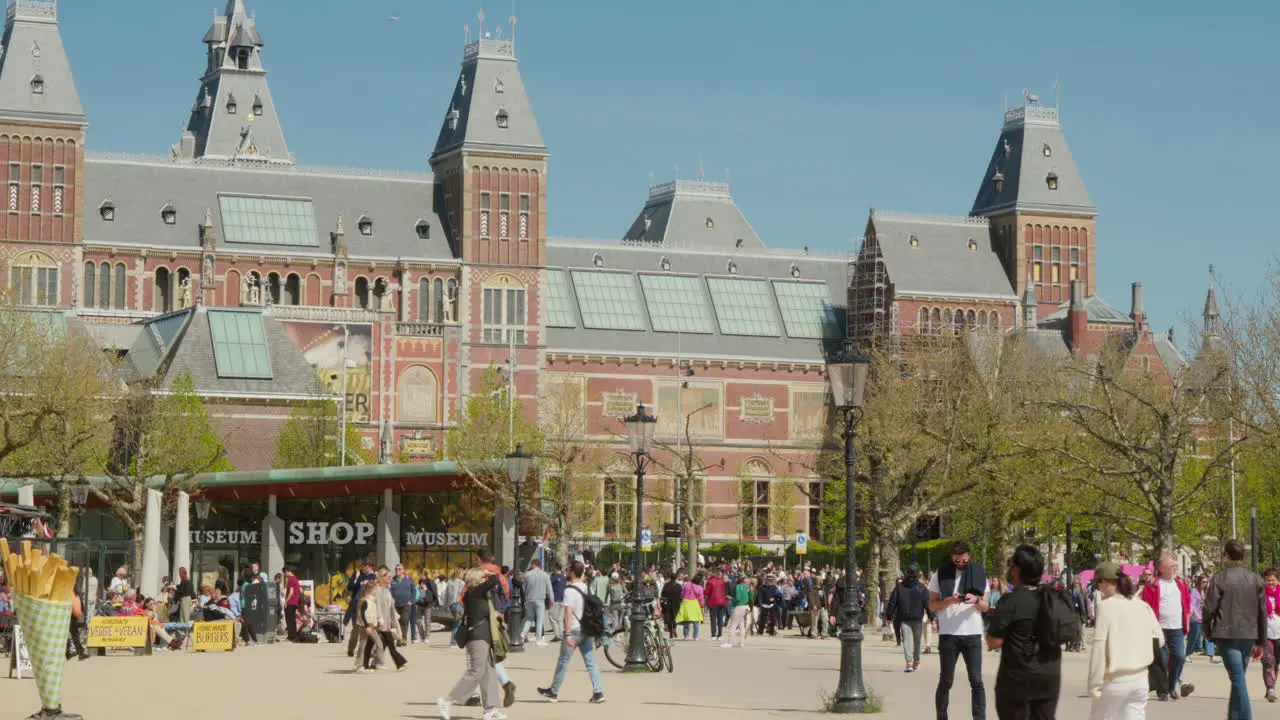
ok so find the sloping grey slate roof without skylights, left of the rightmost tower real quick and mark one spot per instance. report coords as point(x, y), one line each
point(941, 262)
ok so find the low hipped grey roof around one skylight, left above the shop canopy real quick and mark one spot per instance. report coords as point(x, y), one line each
point(177, 343)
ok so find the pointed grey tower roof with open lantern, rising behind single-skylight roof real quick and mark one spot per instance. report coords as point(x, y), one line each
point(217, 131)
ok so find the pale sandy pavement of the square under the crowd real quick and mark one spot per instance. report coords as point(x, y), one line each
point(772, 678)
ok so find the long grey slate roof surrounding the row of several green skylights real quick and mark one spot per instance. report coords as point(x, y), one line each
point(632, 261)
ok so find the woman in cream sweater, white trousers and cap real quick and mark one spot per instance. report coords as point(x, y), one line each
point(1122, 649)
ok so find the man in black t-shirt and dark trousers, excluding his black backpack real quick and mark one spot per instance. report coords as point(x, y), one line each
point(1030, 676)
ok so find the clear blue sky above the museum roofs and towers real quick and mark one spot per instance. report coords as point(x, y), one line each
point(819, 110)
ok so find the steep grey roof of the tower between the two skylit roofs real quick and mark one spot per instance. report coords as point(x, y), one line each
point(490, 110)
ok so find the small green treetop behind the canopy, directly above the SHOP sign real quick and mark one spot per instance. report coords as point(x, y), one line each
point(313, 439)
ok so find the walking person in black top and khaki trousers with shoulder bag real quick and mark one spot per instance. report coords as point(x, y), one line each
point(476, 635)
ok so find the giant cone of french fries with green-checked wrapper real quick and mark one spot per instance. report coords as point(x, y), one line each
point(43, 590)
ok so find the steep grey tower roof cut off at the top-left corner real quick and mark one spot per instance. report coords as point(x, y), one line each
point(33, 47)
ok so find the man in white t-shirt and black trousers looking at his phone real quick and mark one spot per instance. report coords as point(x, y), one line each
point(958, 595)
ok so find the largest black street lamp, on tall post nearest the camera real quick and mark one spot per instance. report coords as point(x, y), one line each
point(848, 377)
